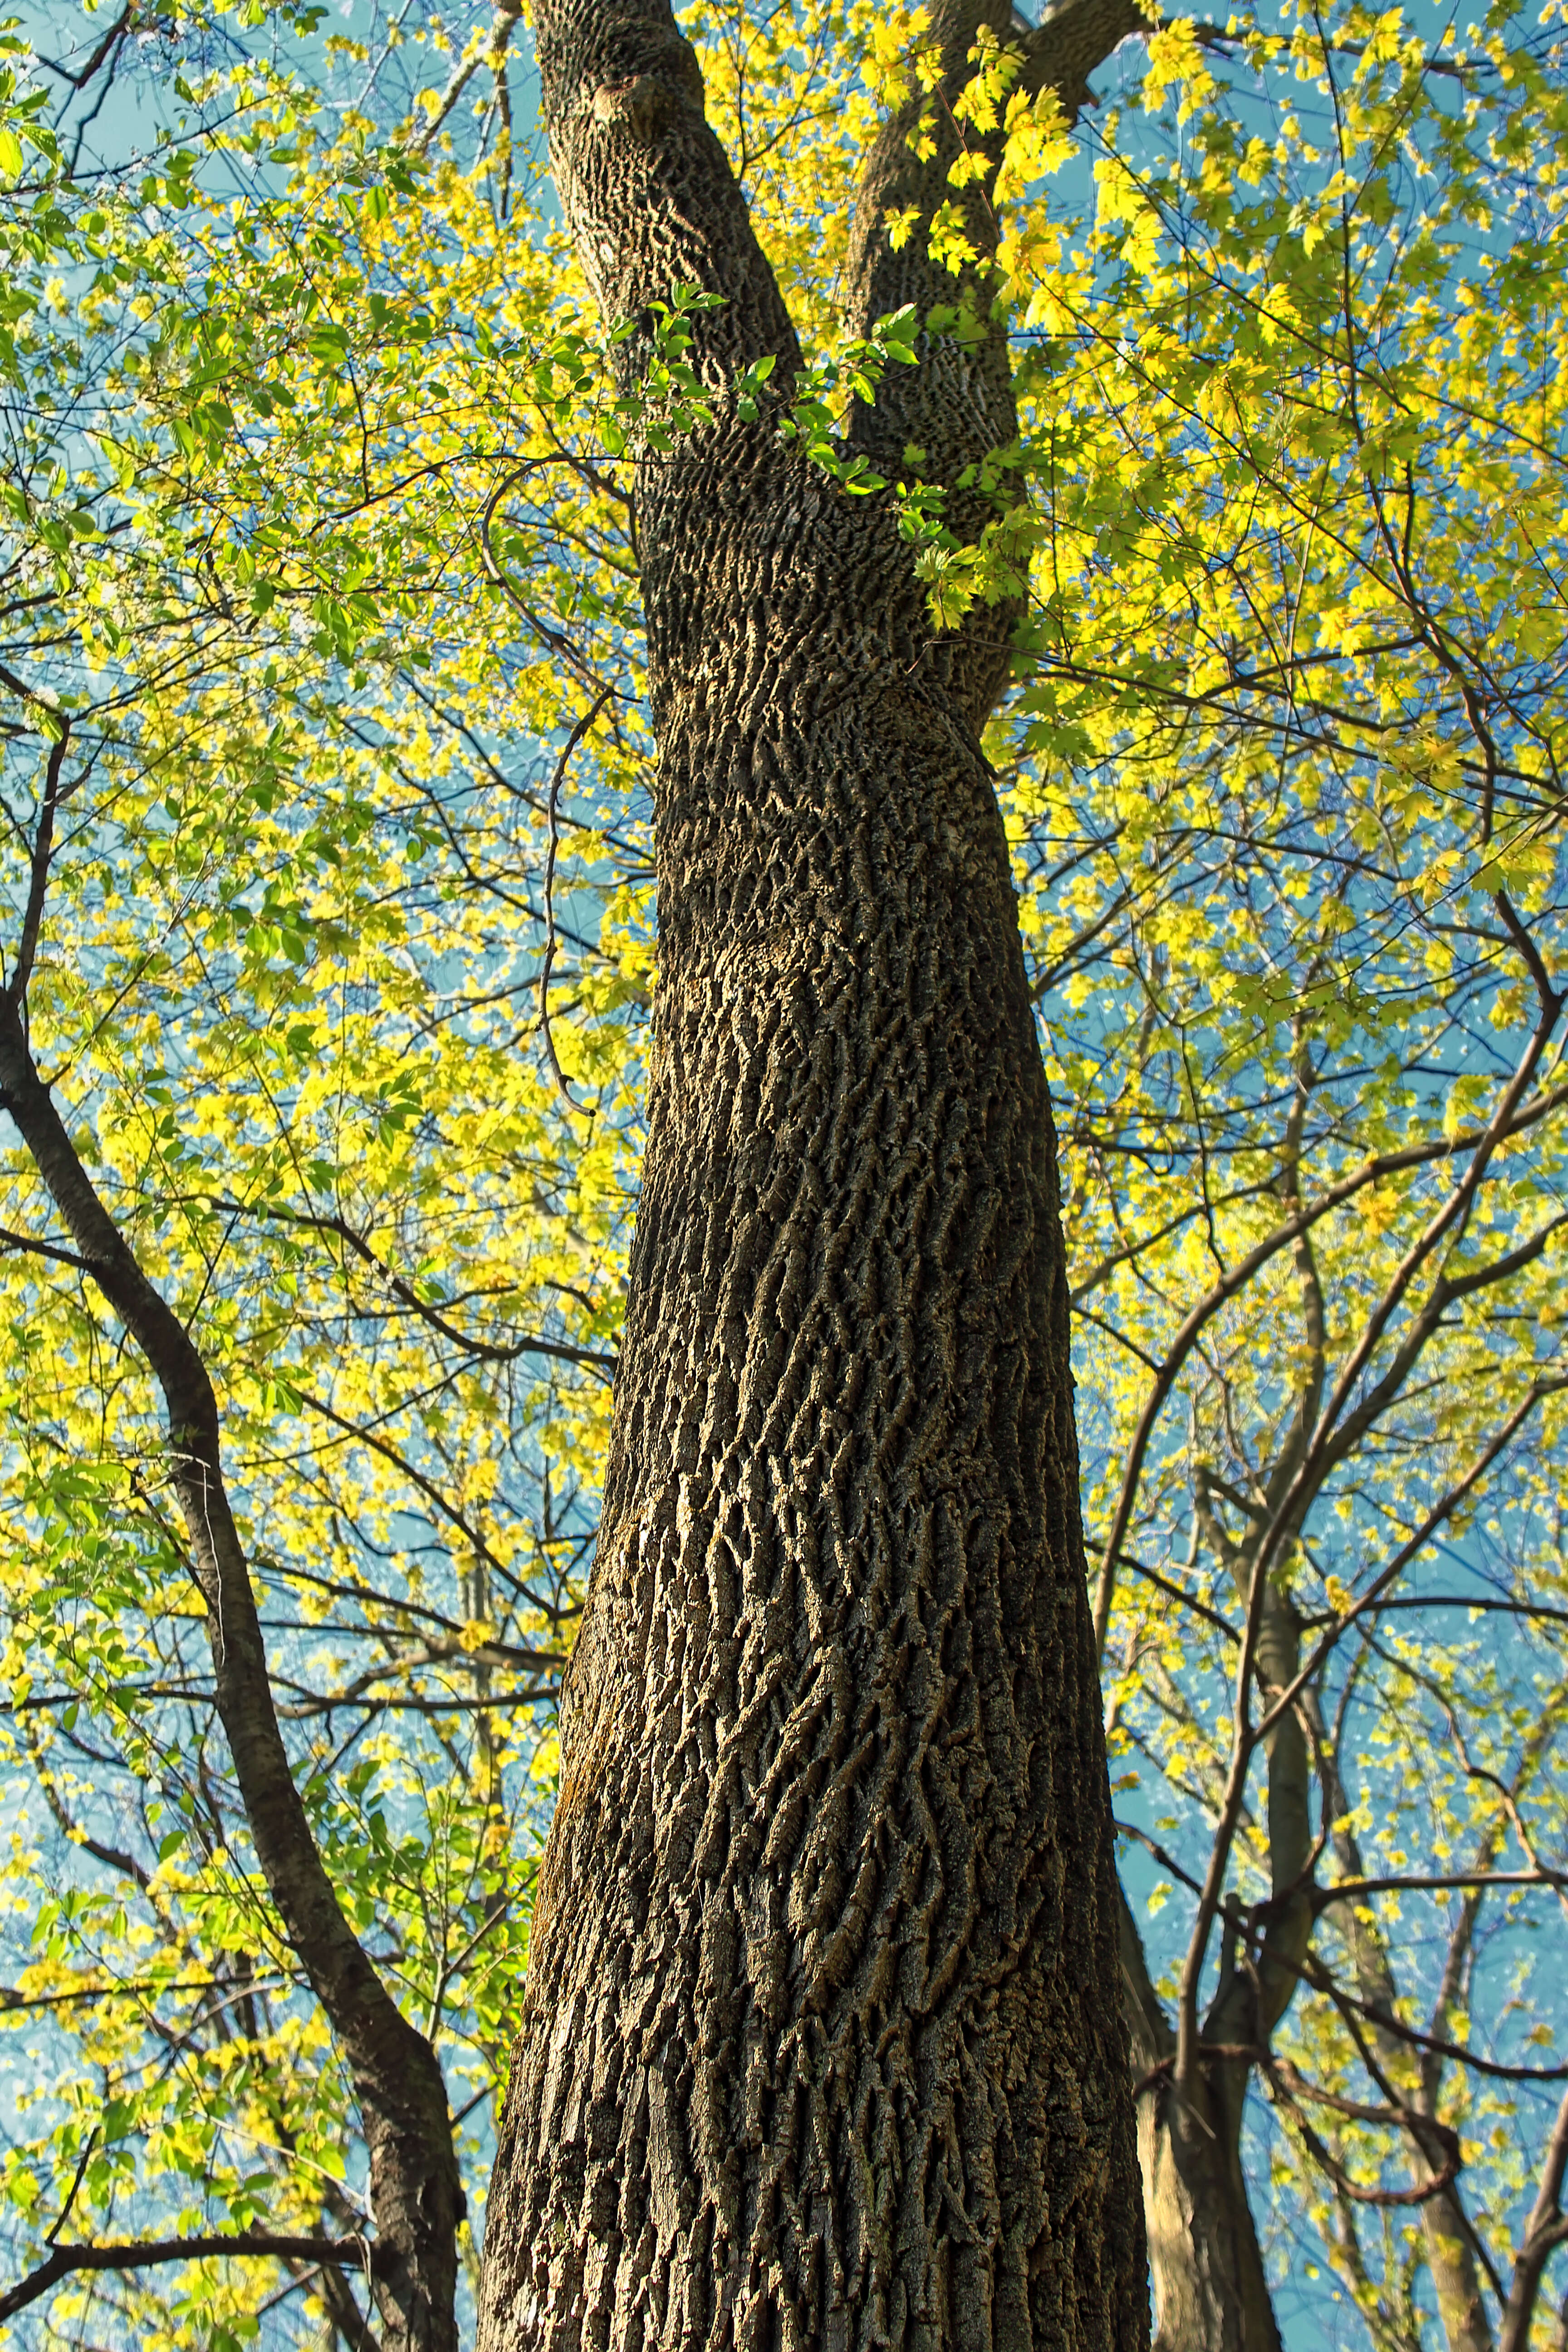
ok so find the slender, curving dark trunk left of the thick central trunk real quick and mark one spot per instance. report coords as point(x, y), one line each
point(417, 2198)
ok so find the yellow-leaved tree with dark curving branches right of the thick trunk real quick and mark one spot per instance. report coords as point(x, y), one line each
point(1301, 970)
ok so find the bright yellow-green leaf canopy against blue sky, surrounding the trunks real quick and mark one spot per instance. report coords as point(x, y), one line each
point(319, 549)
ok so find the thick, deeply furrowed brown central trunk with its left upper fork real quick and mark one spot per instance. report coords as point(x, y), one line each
point(824, 2031)
